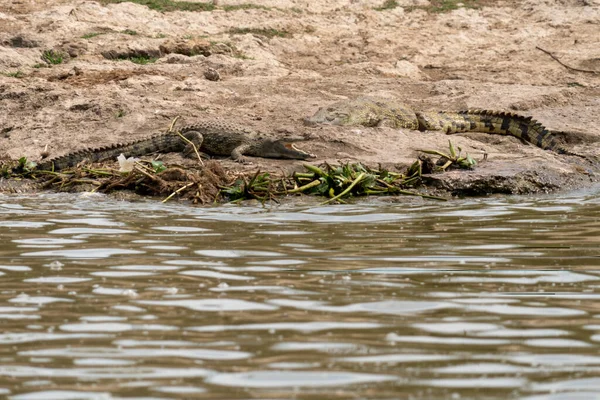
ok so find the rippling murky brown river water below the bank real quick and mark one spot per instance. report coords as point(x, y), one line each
point(487, 298)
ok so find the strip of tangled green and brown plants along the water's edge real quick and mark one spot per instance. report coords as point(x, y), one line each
point(209, 182)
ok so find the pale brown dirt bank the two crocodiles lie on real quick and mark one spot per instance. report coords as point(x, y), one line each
point(75, 74)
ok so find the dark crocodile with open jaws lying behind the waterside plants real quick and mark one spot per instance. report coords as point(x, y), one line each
point(216, 137)
